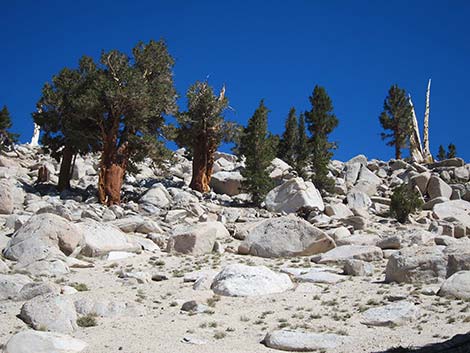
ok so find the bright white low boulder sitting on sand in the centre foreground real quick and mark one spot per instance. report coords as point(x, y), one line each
point(239, 280)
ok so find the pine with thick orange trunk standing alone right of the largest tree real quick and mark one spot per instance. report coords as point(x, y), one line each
point(201, 130)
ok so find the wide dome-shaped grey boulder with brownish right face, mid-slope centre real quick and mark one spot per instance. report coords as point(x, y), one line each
point(284, 237)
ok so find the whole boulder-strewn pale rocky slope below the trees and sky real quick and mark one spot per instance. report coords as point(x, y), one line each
point(173, 270)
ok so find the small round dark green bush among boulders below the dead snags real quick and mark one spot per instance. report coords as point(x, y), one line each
point(404, 200)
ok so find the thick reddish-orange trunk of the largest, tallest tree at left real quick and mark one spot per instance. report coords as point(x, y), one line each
point(113, 167)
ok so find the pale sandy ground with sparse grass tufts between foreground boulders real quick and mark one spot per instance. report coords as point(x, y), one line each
point(239, 324)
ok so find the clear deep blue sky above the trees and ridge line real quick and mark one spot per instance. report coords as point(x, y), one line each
point(276, 50)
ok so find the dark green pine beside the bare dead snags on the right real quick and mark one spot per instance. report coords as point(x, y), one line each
point(397, 118)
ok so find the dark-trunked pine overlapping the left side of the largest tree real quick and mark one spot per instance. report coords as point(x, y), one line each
point(63, 116)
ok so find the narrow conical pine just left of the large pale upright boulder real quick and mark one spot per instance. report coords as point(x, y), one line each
point(257, 147)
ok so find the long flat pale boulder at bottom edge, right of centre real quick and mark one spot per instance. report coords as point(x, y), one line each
point(297, 341)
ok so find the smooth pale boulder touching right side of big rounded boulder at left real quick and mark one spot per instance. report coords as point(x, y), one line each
point(102, 238)
